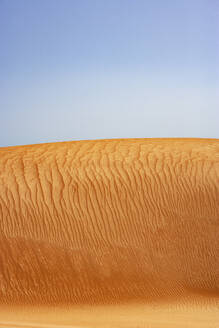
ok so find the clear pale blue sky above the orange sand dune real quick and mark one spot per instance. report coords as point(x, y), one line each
point(88, 69)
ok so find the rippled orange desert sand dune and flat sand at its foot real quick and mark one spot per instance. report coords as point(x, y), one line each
point(110, 233)
